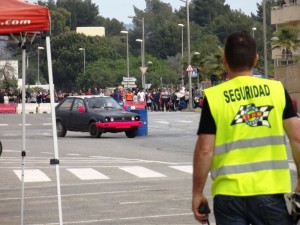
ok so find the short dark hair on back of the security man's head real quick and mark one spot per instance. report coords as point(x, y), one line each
point(240, 51)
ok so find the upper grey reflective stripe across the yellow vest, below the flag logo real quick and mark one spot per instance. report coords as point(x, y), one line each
point(246, 143)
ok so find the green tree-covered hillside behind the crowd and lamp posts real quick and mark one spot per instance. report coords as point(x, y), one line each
point(210, 23)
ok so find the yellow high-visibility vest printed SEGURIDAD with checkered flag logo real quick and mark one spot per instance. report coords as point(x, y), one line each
point(250, 149)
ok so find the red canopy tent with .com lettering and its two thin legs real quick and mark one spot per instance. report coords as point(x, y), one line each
point(24, 21)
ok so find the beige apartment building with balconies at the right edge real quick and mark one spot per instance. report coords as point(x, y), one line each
point(287, 63)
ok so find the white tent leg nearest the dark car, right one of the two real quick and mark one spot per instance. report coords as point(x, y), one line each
point(54, 161)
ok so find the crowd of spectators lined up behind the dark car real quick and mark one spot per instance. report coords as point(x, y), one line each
point(156, 99)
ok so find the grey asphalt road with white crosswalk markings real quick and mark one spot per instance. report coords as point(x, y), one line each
point(111, 180)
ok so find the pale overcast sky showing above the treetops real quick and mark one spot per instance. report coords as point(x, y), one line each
point(121, 9)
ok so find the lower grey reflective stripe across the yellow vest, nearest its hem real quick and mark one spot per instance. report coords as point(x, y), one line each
point(251, 167)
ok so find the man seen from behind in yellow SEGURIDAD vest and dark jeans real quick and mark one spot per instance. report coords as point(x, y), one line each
point(241, 142)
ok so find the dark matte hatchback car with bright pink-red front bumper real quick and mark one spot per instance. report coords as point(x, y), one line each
point(96, 115)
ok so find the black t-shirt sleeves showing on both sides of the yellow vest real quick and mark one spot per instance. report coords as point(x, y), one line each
point(208, 126)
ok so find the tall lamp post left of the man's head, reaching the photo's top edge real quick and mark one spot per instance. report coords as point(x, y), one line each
point(190, 106)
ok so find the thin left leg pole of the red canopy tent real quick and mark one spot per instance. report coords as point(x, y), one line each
point(23, 128)
